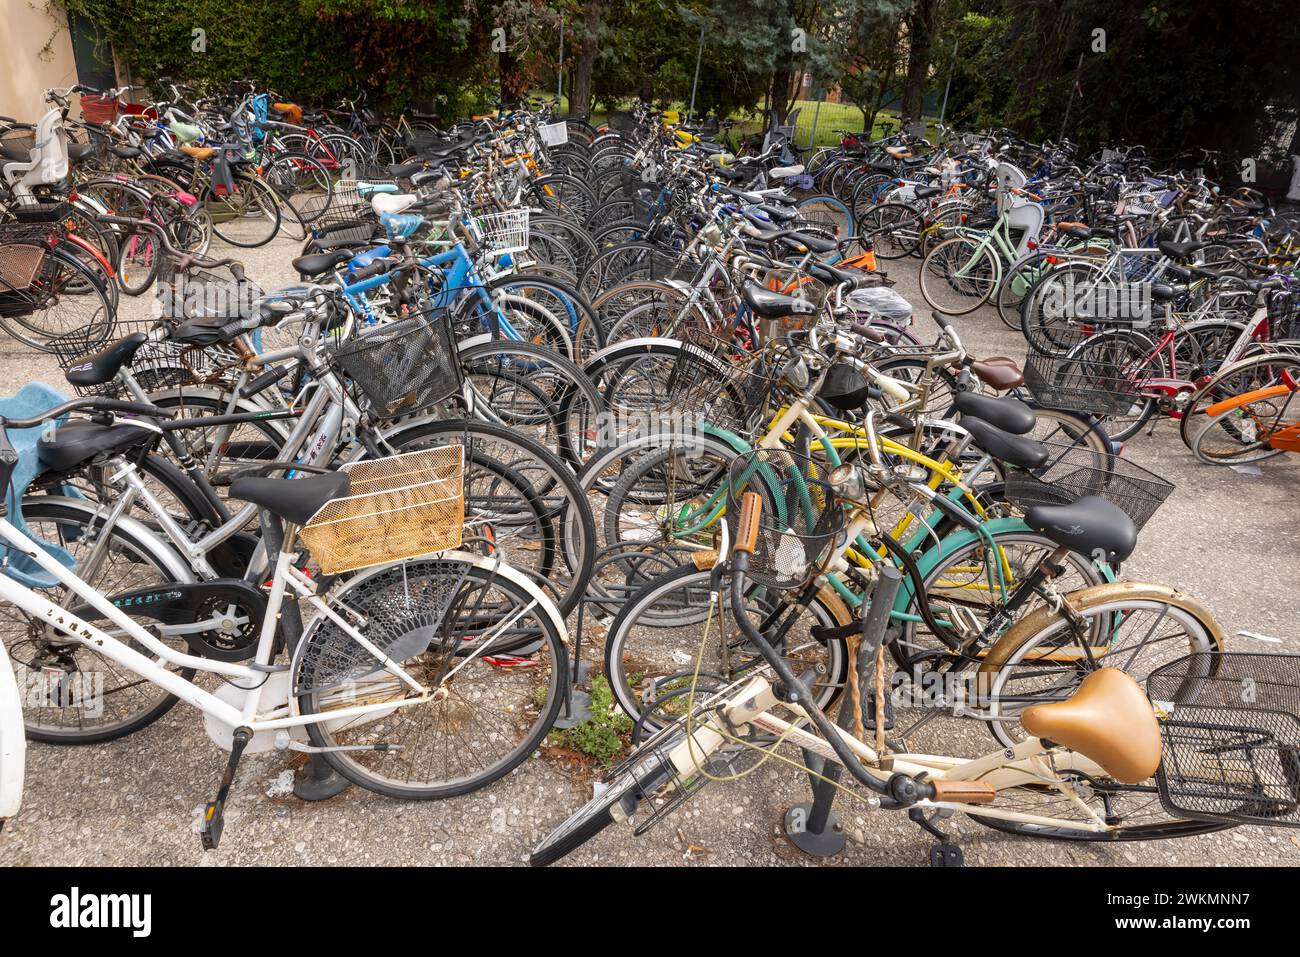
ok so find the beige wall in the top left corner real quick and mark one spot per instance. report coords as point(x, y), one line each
point(24, 73)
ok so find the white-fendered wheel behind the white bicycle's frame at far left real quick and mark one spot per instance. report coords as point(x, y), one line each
point(93, 699)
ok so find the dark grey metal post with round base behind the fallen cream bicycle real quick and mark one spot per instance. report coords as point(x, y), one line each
point(814, 828)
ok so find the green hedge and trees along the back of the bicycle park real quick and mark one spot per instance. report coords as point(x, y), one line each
point(1173, 75)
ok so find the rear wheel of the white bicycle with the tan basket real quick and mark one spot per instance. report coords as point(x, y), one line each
point(484, 643)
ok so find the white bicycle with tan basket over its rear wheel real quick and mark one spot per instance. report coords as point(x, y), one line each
point(426, 672)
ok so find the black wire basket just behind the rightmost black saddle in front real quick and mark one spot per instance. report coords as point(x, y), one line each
point(1074, 471)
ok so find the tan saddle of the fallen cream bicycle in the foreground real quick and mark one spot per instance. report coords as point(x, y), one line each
point(1110, 720)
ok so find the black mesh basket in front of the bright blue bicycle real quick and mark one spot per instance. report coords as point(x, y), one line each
point(404, 367)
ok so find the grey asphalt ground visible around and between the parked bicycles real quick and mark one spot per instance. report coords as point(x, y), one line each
point(1225, 536)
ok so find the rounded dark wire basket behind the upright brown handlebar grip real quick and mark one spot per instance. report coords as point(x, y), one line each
point(800, 521)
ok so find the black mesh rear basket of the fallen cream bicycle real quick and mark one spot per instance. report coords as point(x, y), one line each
point(1232, 737)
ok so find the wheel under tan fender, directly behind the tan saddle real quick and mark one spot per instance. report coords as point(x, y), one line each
point(1134, 627)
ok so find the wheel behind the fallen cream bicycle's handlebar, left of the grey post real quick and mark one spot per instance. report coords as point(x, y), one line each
point(653, 646)
